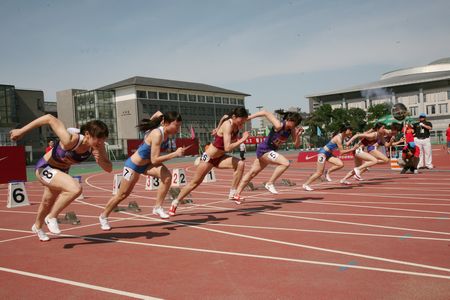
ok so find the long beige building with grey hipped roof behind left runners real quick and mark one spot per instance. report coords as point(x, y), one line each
point(122, 105)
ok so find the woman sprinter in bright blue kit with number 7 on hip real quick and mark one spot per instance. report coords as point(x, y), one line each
point(147, 160)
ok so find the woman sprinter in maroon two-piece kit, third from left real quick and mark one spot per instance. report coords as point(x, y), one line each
point(226, 139)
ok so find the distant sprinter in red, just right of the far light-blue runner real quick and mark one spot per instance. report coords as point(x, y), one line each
point(371, 139)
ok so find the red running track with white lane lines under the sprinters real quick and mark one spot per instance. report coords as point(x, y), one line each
point(387, 237)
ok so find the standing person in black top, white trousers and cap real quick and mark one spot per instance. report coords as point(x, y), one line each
point(422, 140)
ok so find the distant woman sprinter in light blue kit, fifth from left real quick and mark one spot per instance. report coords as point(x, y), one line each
point(326, 153)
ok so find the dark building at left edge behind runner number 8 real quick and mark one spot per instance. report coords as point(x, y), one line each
point(18, 107)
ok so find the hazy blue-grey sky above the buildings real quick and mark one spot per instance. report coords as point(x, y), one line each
point(277, 51)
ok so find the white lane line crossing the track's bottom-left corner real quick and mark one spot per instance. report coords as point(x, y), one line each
point(78, 284)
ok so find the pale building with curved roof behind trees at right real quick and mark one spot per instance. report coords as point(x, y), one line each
point(422, 89)
